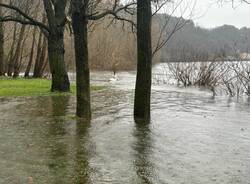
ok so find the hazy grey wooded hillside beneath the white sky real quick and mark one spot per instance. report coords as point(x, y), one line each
point(193, 43)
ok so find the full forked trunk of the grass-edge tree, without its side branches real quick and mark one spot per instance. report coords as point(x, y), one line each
point(56, 16)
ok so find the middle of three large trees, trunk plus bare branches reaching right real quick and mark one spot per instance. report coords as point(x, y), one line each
point(82, 12)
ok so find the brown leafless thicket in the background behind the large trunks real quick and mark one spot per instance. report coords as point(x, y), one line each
point(111, 47)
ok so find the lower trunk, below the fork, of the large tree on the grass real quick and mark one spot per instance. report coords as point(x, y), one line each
point(60, 80)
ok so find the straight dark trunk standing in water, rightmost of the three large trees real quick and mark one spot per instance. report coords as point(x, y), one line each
point(144, 62)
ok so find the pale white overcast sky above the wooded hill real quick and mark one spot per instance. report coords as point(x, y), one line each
point(210, 13)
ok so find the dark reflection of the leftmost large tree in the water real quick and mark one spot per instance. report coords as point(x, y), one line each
point(58, 149)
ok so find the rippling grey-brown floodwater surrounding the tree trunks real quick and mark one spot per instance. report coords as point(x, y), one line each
point(193, 138)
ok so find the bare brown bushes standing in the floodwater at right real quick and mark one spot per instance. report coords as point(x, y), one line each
point(231, 77)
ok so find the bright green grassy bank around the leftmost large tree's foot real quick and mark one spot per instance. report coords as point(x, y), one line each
point(32, 87)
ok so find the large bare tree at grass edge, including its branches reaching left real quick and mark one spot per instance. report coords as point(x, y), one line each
point(54, 32)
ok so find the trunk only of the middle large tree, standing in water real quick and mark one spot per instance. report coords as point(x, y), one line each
point(82, 64)
